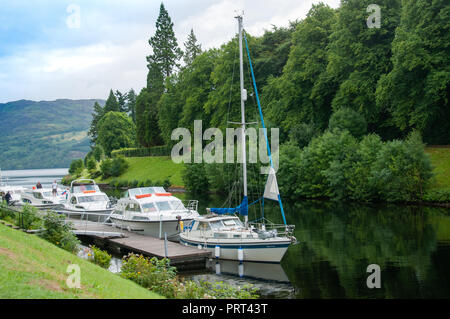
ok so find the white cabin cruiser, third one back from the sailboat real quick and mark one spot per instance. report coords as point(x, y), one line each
point(42, 198)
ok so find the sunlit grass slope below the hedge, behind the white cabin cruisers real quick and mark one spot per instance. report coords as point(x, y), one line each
point(155, 168)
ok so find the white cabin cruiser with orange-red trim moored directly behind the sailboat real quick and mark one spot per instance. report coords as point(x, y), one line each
point(153, 212)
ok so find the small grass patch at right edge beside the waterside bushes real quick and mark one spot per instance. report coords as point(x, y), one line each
point(440, 159)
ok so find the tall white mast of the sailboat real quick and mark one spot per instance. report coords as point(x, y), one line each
point(243, 99)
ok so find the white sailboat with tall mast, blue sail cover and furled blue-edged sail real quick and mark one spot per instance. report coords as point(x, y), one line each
point(225, 235)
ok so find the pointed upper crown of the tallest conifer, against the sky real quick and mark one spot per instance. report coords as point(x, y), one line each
point(166, 52)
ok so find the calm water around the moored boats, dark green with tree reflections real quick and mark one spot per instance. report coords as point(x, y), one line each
point(337, 242)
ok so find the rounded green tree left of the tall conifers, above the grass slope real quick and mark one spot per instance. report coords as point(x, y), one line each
point(115, 131)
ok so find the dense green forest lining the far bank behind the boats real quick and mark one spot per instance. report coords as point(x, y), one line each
point(354, 103)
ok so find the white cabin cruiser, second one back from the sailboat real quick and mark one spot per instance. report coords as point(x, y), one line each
point(87, 201)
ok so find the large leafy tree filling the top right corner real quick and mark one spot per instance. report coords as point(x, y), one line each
point(416, 90)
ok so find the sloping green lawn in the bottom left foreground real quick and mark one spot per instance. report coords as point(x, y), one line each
point(32, 268)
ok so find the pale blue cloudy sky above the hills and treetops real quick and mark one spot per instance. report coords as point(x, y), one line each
point(76, 49)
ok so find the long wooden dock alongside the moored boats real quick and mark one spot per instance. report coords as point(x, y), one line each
point(180, 256)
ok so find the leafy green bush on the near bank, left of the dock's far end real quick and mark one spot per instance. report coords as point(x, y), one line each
point(58, 232)
